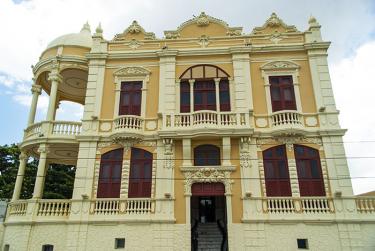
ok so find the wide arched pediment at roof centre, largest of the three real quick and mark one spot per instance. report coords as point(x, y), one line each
point(203, 25)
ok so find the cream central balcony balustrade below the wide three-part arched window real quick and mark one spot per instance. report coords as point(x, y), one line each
point(206, 122)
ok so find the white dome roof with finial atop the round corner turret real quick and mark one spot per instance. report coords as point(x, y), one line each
point(83, 38)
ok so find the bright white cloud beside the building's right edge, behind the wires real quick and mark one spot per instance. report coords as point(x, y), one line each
point(354, 90)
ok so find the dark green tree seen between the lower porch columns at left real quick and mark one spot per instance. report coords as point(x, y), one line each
point(58, 184)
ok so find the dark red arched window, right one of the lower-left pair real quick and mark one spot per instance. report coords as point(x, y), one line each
point(140, 177)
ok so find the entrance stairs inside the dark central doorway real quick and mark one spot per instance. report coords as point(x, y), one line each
point(209, 237)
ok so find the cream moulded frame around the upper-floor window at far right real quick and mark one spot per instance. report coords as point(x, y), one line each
point(280, 69)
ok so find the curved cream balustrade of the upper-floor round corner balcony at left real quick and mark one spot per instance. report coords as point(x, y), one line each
point(55, 128)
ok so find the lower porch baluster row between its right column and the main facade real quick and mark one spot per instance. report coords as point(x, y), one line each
point(53, 208)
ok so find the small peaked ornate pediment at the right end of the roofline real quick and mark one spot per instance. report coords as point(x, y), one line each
point(274, 25)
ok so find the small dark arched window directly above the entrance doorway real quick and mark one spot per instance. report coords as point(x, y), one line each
point(207, 155)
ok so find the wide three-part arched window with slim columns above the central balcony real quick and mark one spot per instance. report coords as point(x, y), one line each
point(205, 90)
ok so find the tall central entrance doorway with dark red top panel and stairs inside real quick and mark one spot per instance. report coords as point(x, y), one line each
point(208, 216)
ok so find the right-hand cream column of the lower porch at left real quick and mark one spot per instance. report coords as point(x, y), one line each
point(41, 173)
